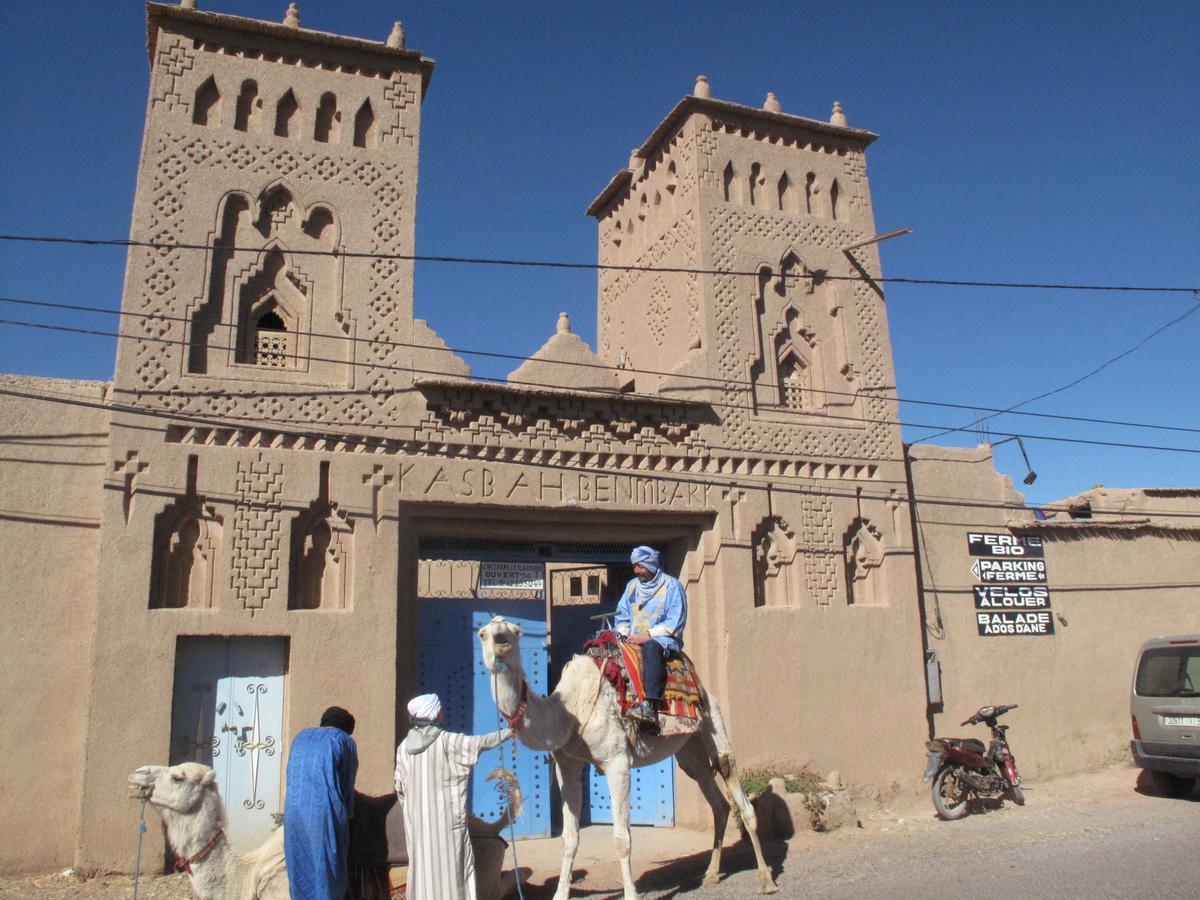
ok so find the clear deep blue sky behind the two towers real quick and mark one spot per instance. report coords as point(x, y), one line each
point(1022, 142)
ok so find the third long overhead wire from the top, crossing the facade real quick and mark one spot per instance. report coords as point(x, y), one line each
point(619, 395)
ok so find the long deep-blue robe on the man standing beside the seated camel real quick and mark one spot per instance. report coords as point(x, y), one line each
point(322, 765)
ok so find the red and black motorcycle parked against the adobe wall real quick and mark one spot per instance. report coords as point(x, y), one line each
point(961, 769)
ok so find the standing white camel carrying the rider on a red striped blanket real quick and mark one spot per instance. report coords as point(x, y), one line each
point(581, 723)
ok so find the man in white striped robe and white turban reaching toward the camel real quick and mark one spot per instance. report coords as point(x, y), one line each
point(433, 776)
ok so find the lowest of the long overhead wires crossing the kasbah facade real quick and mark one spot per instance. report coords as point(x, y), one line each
point(370, 442)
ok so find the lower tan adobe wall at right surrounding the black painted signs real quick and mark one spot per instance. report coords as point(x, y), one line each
point(1114, 581)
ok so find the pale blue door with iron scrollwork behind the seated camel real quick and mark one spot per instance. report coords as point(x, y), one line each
point(227, 712)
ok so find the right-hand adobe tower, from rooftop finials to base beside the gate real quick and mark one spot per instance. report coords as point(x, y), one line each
point(789, 344)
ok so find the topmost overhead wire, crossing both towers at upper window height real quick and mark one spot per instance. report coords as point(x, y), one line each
point(592, 267)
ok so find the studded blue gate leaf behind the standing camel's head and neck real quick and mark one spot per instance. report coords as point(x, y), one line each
point(452, 665)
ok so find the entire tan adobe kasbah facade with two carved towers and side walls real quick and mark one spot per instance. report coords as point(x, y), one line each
point(293, 495)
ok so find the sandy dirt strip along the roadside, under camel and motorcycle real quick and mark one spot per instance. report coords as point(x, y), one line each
point(668, 859)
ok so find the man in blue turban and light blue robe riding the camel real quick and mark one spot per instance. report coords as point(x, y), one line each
point(652, 613)
